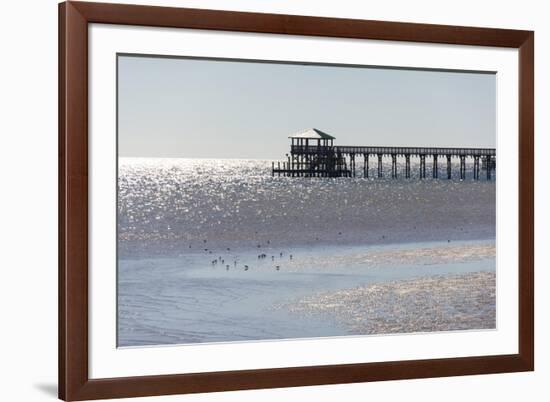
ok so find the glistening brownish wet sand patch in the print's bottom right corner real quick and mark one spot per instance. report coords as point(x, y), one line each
point(436, 303)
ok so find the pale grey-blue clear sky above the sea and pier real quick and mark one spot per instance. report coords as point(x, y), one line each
point(188, 108)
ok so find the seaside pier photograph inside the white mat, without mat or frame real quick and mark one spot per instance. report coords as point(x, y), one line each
point(264, 200)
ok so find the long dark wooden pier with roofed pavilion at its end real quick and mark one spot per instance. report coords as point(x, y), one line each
point(313, 154)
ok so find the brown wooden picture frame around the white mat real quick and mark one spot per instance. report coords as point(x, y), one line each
point(74, 383)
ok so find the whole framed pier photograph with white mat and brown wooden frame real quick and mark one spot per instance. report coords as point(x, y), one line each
point(259, 200)
